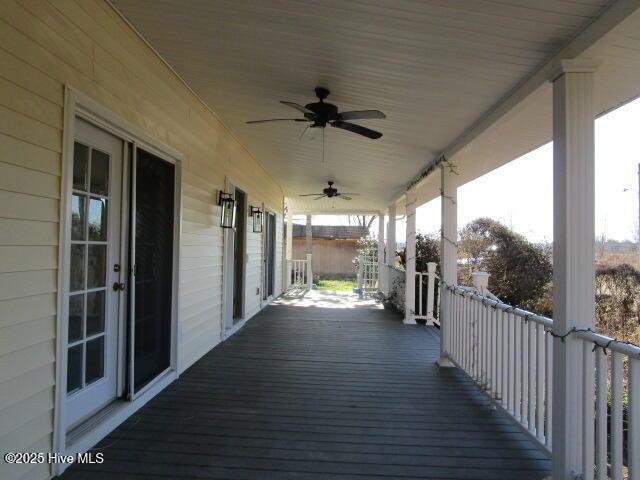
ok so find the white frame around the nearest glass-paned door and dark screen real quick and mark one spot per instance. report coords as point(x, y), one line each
point(77, 104)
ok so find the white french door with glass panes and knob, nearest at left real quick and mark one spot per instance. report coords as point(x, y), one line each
point(96, 278)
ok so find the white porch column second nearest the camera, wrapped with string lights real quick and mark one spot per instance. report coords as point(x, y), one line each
point(449, 252)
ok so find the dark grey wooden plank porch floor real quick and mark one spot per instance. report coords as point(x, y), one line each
point(320, 386)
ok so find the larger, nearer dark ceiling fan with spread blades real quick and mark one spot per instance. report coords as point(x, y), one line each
point(320, 113)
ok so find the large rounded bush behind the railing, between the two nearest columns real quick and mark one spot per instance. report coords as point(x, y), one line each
point(520, 271)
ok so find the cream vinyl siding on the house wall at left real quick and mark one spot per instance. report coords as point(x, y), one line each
point(85, 44)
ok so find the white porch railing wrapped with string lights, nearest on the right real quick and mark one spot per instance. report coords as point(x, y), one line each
point(508, 352)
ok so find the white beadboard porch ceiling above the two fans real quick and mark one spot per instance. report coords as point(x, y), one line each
point(434, 67)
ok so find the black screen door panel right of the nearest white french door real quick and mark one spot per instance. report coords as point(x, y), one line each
point(153, 266)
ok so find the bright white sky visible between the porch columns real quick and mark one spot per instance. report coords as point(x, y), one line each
point(520, 193)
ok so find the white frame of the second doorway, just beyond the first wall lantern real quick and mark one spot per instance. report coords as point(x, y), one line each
point(227, 264)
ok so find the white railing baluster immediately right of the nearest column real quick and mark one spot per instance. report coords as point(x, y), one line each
point(587, 412)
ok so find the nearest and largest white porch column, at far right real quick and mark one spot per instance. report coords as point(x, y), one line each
point(573, 255)
